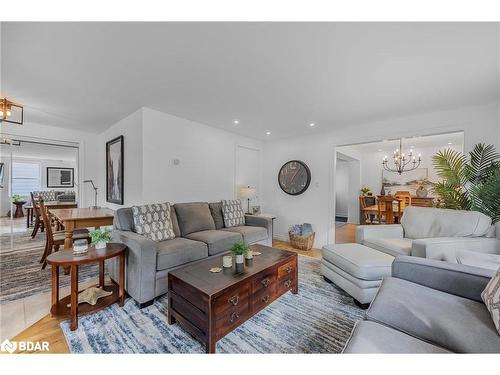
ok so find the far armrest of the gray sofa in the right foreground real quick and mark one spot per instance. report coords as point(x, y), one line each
point(458, 279)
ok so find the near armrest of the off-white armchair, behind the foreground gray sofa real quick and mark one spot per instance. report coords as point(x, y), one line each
point(445, 248)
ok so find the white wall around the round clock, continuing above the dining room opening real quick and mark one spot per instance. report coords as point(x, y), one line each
point(316, 205)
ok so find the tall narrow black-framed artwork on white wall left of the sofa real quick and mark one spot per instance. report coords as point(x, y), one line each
point(114, 170)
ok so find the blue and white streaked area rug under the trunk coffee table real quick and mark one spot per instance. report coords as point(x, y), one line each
point(317, 320)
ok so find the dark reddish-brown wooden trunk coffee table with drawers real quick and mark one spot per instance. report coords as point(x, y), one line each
point(210, 305)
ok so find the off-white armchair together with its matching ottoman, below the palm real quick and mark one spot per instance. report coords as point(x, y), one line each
point(453, 236)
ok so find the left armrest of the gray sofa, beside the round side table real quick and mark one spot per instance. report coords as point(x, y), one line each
point(140, 265)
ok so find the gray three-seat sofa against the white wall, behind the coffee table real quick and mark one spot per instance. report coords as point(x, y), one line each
point(200, 233)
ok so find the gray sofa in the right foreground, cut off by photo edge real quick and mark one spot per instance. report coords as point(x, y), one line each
point(428, 306)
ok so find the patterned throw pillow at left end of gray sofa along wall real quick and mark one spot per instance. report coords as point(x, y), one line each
point(153, 221)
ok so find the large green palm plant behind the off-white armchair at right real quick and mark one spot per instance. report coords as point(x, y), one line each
point(472, 184)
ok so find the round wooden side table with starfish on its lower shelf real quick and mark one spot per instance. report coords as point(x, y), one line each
point(68, 306)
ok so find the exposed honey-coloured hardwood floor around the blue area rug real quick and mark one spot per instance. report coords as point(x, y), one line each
point(48, 329)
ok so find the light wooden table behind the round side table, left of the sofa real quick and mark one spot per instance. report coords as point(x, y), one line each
point(75, 218)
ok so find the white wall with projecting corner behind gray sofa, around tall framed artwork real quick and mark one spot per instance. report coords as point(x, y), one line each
point(207, 169)
